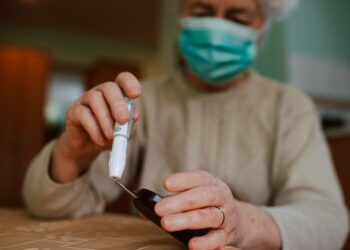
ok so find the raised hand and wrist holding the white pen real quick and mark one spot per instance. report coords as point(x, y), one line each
point(90, 126)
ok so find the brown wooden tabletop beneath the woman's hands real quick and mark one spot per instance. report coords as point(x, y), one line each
point(18, 230)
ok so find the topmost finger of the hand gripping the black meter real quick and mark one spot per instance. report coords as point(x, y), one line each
point(187, 180)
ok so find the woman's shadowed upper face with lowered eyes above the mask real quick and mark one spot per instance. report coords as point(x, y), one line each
point(245, 12)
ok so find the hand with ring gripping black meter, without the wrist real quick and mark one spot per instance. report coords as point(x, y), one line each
point(201, 201)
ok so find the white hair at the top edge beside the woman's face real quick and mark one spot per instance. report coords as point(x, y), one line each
point(276, 10)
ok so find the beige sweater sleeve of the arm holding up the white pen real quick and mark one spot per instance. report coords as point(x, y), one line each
point(86, 195)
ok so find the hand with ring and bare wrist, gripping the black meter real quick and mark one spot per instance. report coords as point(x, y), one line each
point(204, 201)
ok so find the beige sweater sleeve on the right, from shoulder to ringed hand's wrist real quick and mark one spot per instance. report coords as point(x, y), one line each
point(307, 205)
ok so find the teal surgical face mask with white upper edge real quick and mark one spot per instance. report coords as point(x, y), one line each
point(216, 50)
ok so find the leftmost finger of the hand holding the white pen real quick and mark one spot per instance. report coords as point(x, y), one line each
point(88, 121)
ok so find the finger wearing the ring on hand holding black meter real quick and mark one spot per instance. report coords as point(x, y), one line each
point(210, 217)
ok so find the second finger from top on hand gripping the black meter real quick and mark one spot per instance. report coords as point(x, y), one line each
point(201, 197)
